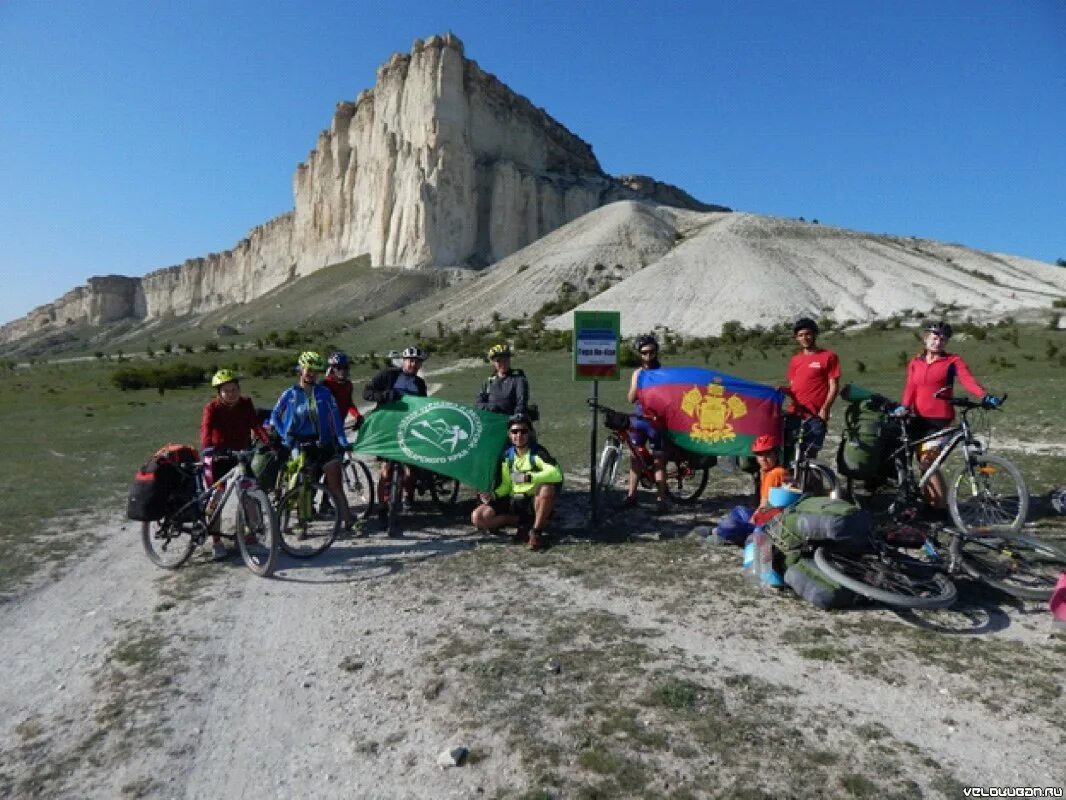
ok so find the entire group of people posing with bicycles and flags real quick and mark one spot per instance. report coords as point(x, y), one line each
point(311, 417)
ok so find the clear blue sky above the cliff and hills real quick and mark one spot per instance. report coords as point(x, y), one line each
point(137, 135)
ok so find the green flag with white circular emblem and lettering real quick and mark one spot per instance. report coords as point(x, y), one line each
point(454, 440)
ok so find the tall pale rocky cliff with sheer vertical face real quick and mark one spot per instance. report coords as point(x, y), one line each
point(439, 165)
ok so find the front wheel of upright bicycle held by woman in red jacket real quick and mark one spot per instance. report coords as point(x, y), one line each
point(996, 499)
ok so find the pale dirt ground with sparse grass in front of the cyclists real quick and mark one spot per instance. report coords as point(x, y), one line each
point(635, 668)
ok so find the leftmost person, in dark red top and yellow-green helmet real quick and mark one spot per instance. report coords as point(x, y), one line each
point(229, 424)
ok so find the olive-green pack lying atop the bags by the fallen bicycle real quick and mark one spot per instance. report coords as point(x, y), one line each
point(818, 521)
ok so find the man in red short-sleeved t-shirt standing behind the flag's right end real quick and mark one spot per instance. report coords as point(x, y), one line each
point(814, 379)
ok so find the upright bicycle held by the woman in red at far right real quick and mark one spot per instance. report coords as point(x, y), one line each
point(988, 492)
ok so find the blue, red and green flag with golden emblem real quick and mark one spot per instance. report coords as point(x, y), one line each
point(709, 412)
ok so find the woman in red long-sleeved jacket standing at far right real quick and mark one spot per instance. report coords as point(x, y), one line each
point(928, 395)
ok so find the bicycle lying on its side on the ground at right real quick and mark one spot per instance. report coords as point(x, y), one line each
point(1021, 567)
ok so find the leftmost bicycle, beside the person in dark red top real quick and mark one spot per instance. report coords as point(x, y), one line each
point(171, 541)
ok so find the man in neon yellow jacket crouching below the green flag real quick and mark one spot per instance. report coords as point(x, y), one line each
point(529, 482)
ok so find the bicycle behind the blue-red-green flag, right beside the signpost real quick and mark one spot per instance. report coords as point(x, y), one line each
point(687, 474)
